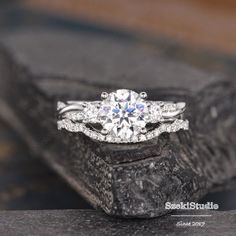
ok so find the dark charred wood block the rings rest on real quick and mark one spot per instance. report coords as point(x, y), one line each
point(130, 180)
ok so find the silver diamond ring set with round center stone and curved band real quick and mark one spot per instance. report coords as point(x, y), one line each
point(122, 116)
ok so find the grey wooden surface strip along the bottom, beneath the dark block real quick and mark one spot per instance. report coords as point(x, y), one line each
point(88, 222)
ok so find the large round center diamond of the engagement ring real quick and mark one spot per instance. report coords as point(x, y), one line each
point(123, 113)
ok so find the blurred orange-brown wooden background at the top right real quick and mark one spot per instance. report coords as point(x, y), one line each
point(210, 24)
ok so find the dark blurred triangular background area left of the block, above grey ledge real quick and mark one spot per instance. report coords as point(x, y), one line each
point(26, 182)
